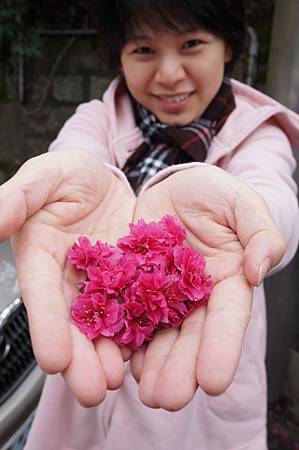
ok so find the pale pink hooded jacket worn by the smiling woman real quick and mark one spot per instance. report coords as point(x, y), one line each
point(256, 145)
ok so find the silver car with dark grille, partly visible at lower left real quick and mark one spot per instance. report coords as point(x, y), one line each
point(21, 380)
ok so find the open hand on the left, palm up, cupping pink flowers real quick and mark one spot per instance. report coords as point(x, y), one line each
point(64, 195)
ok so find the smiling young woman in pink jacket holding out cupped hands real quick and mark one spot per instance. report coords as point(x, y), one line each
point(173, 128)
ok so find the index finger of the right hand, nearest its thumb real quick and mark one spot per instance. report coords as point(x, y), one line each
point(228, 314)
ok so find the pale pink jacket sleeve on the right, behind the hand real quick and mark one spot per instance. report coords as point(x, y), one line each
point(265, 161)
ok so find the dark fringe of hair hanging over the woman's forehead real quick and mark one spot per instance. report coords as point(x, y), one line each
point(157, 15)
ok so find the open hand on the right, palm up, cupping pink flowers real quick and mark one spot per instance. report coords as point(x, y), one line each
point(230, 225)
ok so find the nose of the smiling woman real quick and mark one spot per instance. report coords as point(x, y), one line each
point(170, 70)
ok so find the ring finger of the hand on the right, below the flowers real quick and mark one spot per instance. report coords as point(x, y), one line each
point(155, 357)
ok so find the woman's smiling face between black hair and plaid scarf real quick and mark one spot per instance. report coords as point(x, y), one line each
point(174, 75)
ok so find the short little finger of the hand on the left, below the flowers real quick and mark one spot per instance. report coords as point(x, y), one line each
point(112, 361)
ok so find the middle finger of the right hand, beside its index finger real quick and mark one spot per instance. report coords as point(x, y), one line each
point(177, 382)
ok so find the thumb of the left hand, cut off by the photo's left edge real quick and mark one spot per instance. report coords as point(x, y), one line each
point(26, 192)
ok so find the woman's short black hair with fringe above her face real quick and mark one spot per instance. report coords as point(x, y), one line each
point(117, 20)
